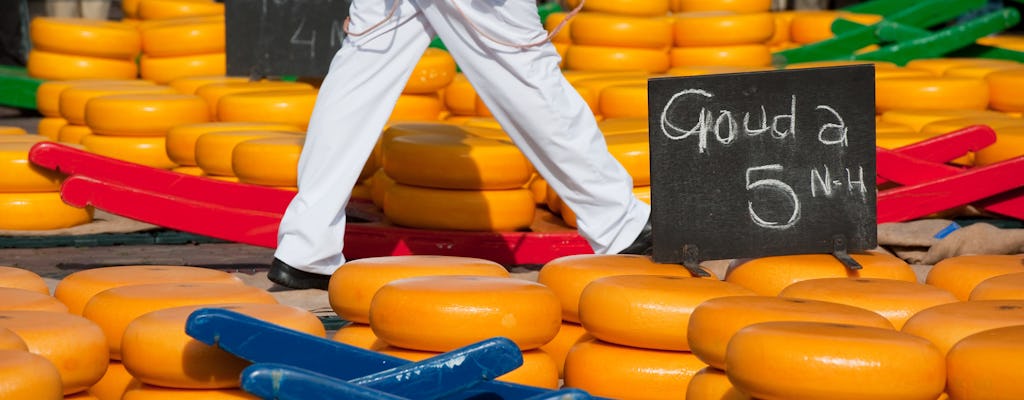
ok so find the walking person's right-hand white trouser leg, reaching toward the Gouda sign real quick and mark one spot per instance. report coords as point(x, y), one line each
point(544, 115)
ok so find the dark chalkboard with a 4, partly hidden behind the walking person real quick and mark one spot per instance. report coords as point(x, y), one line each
point(283, 37)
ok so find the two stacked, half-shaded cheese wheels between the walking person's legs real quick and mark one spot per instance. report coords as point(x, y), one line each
point(448, 179)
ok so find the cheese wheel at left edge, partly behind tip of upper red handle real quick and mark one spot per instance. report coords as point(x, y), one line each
point(18, 175)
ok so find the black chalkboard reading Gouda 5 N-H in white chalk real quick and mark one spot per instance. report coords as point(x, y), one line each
point(763, 164)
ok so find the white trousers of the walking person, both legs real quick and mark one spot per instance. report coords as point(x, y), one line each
point(524, 88)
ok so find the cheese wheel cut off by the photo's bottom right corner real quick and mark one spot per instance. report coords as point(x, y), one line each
point(988, 366)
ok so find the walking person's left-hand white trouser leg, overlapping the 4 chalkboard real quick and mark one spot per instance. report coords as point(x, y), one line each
point(355, 103)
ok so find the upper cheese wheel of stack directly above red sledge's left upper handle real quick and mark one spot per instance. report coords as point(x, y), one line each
point(144, 115)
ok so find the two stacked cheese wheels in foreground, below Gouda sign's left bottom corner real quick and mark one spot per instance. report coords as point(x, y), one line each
point(637, 321)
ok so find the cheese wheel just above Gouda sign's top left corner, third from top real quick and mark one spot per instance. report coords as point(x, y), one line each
point(608, 59)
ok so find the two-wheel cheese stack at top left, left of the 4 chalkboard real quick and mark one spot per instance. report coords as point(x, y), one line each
point(78, 49)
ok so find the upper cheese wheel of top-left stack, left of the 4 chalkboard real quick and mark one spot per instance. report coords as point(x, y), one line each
point(86, 37)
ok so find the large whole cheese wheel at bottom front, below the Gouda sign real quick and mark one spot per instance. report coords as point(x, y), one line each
point(848, 363)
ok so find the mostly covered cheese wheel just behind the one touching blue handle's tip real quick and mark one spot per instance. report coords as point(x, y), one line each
point(115, 308)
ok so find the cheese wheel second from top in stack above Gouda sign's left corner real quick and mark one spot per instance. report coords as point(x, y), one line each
point(598, 29)
